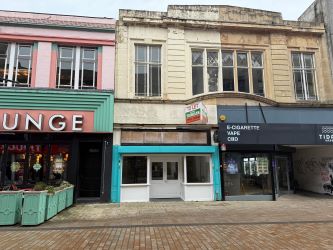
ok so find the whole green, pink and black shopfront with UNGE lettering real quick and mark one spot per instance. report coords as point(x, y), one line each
point(52, 135)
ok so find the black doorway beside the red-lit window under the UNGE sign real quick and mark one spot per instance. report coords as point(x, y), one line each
point(90, 170)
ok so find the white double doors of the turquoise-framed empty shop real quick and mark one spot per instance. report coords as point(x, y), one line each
point(165, 177)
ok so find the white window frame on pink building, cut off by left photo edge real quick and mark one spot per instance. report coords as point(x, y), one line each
point(12, 60)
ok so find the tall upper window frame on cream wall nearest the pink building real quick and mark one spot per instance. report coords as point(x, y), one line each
point(147, 63)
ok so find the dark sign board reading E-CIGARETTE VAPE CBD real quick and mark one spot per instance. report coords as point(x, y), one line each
point(268, 134)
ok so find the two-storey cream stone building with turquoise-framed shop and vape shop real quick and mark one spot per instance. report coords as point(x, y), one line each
point(244, 66)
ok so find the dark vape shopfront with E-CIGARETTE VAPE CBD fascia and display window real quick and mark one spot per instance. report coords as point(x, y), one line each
point(257, 156)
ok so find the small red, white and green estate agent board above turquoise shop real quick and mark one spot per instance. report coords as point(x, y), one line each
point(196, 114)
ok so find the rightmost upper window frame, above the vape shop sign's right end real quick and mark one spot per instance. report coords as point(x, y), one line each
point(303, 70)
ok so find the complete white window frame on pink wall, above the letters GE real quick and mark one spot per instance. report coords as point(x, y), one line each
point(77, 63)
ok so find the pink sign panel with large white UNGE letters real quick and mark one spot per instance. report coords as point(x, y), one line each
point(53, 121)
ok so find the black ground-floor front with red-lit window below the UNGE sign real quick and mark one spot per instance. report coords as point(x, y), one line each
point(83, 159)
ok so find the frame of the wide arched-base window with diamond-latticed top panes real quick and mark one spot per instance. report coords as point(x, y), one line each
point(234, 67)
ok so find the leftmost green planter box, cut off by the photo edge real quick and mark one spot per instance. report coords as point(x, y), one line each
point(10, 207)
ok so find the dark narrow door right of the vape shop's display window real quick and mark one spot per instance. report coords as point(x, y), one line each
point(283, 177)
